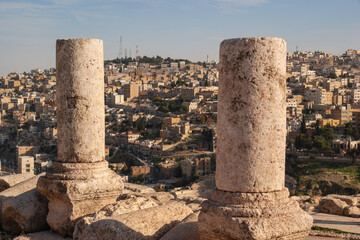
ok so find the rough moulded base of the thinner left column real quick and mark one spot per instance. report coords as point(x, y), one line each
point(77, 189)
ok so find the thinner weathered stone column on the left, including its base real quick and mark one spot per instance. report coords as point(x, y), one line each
point(80, 182)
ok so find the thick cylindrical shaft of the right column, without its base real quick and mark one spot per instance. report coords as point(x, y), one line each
point(251, 115)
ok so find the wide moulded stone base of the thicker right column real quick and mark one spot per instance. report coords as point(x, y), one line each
point(273, 215)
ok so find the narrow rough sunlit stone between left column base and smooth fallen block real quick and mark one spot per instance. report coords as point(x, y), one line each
point(120, 207)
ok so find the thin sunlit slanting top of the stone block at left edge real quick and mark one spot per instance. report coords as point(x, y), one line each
point(18, 189)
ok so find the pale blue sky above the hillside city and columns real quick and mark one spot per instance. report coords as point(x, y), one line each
point(177, 28)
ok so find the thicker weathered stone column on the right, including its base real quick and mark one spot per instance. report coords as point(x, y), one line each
point(250, 200)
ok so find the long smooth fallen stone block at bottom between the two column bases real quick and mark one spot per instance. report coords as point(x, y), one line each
point(150, 224)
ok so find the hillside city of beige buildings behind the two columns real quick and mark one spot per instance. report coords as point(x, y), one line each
point(161, 117)
